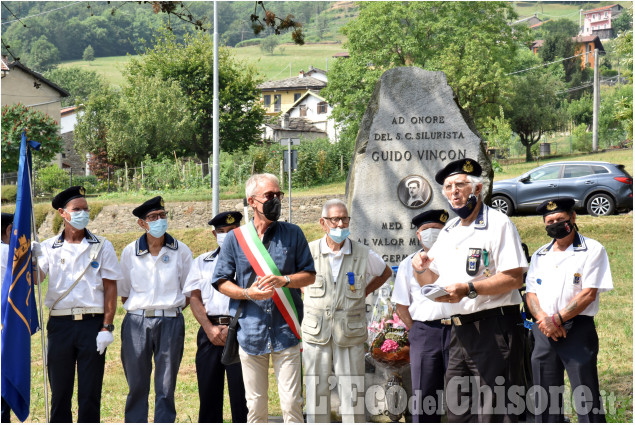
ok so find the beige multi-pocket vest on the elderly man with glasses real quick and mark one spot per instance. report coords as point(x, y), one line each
point(334, 308)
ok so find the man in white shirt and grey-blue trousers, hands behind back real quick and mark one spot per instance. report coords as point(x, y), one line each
point(155, 267)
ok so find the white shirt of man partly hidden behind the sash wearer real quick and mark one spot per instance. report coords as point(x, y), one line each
point(200, 277)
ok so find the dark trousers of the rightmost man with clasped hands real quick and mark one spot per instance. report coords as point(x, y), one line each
point(577, 354)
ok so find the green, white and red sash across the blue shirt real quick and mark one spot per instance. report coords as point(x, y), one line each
point(263, 265)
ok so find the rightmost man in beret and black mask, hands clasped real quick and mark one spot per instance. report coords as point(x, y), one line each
point(564, 282)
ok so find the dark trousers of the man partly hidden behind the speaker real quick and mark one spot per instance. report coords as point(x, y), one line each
point(429, 350)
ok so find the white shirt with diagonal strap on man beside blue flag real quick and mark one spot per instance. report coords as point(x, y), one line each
point(64, 262)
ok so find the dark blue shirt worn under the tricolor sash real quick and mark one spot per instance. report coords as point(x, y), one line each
point(261, 327)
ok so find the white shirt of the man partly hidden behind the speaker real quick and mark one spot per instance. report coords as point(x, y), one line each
point(407, 291)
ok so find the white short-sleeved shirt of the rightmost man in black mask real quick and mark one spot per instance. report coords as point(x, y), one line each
point(557, 277)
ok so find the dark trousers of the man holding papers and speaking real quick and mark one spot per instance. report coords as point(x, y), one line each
point(485, 361)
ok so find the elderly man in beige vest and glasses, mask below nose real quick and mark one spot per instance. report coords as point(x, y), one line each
point(334, 326)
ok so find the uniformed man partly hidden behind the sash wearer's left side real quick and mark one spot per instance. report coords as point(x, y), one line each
point(211, 310)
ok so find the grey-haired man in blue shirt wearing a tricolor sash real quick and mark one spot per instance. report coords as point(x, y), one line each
point(262, 267)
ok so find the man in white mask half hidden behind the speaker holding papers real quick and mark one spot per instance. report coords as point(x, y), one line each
point(428, 325)
